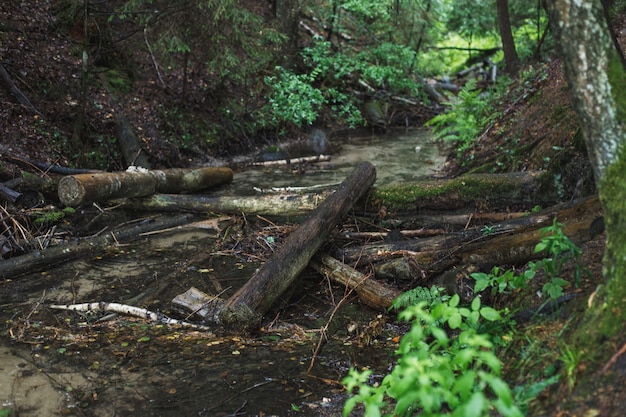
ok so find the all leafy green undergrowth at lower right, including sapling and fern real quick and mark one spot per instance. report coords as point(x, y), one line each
point(447, 362)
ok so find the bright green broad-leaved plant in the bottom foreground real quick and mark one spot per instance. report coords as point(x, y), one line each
point(437, 375)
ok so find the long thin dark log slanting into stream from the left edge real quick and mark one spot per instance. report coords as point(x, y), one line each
point(39, 259)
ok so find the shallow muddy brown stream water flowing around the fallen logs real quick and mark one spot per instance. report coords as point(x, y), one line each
point(99, 364)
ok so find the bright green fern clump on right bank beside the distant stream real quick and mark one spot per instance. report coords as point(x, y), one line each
point(464, 119)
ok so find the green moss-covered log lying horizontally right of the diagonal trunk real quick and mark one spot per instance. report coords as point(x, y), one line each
point(472, 190)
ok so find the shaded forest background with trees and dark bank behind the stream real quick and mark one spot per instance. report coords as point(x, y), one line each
point(203, 80)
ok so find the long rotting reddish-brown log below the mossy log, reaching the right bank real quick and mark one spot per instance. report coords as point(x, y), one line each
point(512, 243)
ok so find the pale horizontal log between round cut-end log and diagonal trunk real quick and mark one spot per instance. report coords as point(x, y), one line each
point(284, 204)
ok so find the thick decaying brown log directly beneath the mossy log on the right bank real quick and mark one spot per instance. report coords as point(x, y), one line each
point(581, 221)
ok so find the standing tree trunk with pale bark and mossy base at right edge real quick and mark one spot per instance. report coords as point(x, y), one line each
point(598, 86)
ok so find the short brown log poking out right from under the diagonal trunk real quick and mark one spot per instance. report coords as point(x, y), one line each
point(375, 294)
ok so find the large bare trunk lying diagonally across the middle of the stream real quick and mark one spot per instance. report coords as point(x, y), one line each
point(245, 308)
